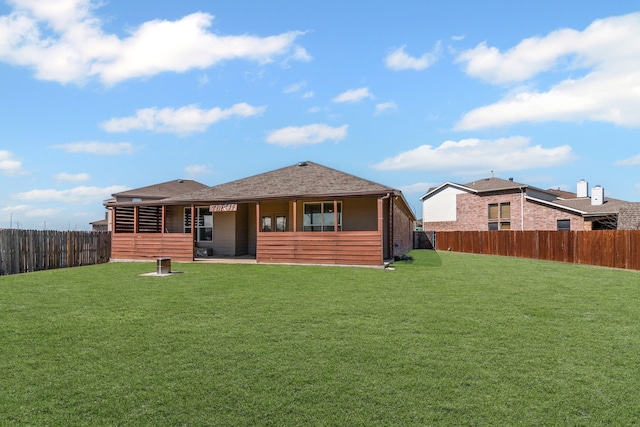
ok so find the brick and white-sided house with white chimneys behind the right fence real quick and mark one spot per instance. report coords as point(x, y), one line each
point(498, 204)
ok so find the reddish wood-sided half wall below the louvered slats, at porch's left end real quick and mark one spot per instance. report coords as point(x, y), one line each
point(178, 246)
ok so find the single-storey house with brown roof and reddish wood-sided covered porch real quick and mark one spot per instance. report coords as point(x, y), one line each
point(305, 213)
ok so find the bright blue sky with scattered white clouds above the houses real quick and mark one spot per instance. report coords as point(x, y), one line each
point(100, 97)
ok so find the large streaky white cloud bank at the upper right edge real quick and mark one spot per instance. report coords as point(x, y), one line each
point(608, 91)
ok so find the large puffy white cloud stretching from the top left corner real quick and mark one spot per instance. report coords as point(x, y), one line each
point(63, 41)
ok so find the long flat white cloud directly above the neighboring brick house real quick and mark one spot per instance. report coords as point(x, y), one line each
point(471, 156)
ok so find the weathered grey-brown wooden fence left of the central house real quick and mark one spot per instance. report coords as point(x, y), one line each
point(33, 250)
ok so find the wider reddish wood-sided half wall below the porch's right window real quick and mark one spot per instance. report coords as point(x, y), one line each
point(344, 248)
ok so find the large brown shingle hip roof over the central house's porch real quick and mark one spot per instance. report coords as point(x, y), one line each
point(305, 179)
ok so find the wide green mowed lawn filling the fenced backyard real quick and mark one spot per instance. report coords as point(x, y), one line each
point(448, 339)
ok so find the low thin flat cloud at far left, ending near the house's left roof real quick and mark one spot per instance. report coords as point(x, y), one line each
point(78, 195)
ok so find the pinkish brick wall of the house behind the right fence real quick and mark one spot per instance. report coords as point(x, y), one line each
point(472, 214)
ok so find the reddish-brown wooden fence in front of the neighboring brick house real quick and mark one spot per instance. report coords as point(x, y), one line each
point(607, 248)
